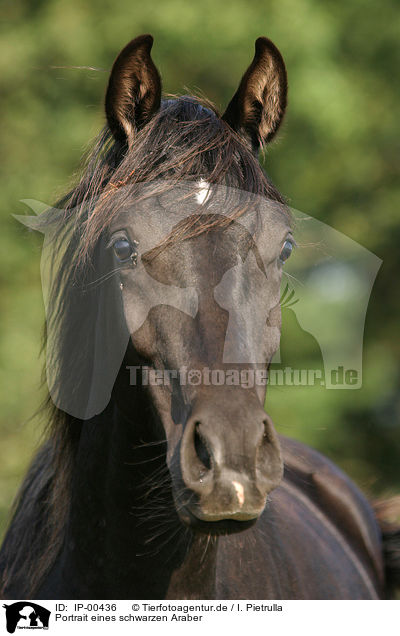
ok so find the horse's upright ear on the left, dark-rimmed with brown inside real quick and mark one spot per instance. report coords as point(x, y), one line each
point(134, 89)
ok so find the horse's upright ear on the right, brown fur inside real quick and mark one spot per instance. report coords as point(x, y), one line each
point(257, 108)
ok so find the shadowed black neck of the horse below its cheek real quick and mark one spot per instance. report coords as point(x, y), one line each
point(123, 534)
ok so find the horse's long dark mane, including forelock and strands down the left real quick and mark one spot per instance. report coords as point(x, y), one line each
point(185, 140)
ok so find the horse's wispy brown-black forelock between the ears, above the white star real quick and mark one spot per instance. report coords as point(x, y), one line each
point(185, 141)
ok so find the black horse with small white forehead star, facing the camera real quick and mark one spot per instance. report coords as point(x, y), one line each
point(178, 488)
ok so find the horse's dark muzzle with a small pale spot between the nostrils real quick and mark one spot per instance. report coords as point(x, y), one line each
point(230, 461)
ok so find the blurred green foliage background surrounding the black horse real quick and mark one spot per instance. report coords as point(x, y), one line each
point(334, 159)
